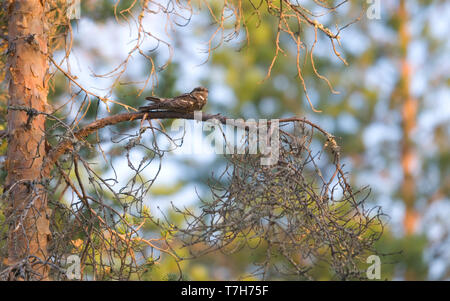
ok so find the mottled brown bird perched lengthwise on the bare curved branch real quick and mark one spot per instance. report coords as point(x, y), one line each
point(188, 102)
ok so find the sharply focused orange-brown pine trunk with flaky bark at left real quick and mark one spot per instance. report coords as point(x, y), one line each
point(27, 66)
